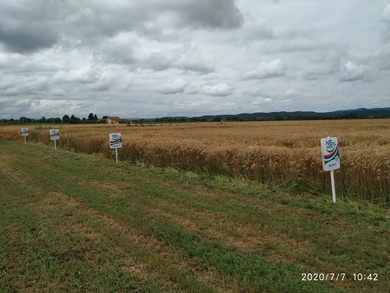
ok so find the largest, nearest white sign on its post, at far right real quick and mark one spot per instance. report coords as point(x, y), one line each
point(330, 159)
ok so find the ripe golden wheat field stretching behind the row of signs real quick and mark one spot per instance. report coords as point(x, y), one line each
point(283, 153)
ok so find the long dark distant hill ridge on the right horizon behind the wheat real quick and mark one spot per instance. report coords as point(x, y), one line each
point(361, 113)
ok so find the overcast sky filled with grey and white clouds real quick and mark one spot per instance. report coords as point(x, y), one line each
point(157, 58)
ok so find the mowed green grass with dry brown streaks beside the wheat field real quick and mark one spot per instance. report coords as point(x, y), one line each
point(81, 223)
